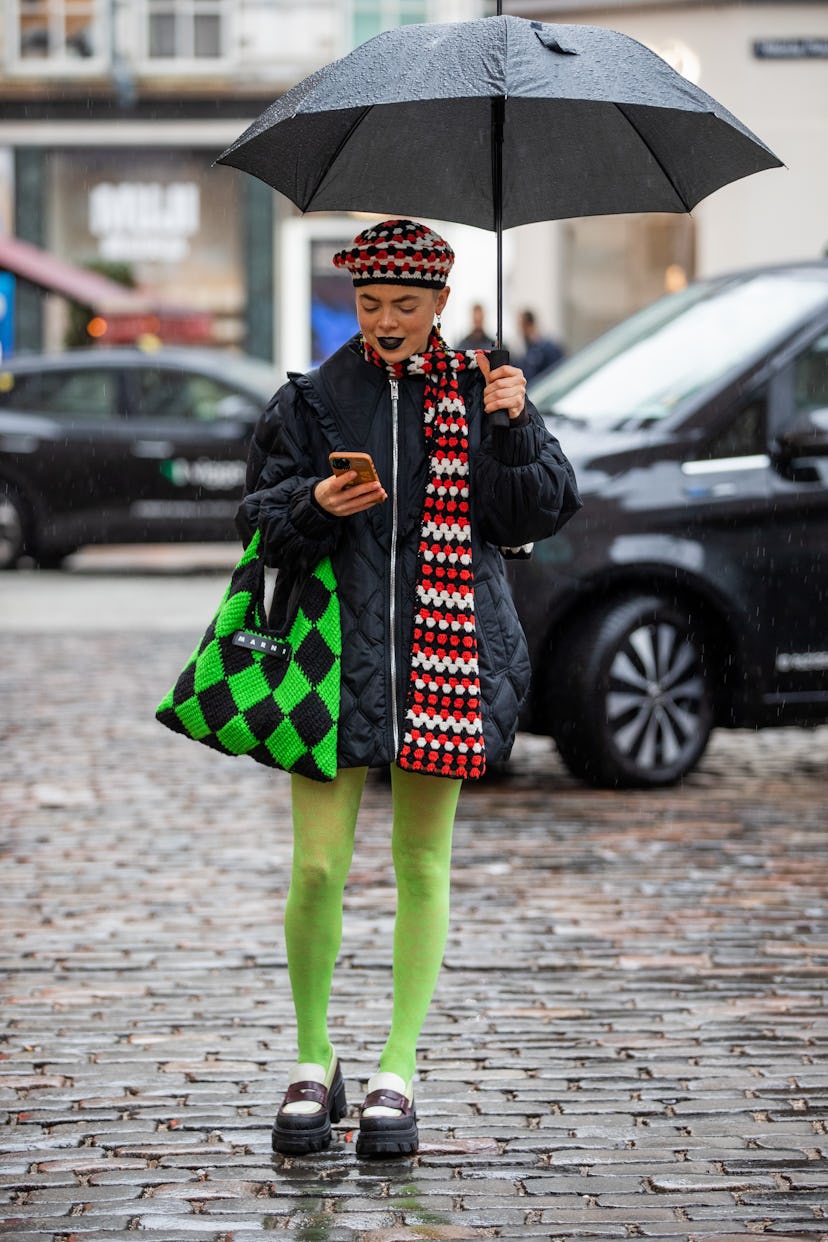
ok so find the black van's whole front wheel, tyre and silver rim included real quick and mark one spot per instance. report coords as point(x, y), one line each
point(630, 696)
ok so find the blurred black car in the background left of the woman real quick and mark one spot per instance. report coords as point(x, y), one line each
point(124, 446)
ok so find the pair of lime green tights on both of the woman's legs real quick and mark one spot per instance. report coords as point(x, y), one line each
point(325, 820)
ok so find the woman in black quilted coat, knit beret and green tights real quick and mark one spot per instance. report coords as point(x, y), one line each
point(435, 665)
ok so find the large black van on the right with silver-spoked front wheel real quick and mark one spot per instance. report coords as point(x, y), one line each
point(692, 591)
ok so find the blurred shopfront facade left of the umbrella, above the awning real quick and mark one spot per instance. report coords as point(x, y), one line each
point(111, 116)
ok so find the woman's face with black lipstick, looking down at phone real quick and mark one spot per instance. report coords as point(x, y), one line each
point(397, 319)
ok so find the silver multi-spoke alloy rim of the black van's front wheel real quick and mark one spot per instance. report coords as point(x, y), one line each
point(656, 699)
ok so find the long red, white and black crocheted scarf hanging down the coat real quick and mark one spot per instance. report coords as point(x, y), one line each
point(444, 727)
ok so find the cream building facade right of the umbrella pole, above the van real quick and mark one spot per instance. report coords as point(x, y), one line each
point(768, 63)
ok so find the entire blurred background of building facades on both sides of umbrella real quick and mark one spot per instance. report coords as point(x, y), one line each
point(114, 111)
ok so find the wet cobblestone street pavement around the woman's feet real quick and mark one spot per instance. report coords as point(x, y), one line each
point(629, 1038)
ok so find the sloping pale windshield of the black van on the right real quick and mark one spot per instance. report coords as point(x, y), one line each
point(646, 368)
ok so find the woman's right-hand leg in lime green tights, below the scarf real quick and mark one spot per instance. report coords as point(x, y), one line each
point(424, 819)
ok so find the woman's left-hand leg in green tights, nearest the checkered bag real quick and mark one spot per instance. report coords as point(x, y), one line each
point(325, 819)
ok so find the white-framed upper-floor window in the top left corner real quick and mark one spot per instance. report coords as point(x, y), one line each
point(59, 33)
